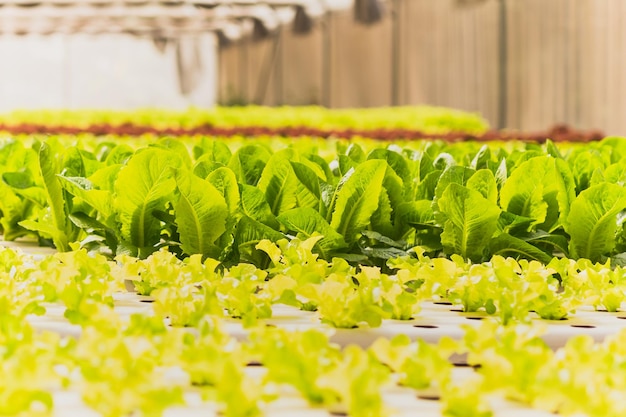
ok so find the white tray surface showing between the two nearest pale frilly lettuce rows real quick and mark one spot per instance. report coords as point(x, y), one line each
point(434, 321)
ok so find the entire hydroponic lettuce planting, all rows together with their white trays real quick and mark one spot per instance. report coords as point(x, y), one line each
point(300, 261)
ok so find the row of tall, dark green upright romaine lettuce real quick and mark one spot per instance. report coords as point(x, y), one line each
point(369, 202)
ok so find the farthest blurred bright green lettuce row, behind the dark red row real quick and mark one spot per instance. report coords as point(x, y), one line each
point(422, 118)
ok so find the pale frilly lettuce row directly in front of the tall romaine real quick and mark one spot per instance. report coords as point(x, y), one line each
point(184, 292)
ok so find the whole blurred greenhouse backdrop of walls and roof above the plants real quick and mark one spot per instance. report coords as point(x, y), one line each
point(524, 64)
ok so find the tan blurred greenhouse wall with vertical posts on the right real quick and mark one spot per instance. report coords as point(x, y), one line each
point(522, 63)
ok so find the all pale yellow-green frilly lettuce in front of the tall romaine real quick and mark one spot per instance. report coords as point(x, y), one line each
point(138, 364)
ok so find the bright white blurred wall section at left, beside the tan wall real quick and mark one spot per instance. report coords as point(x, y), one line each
point(106, 71)
